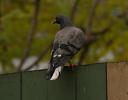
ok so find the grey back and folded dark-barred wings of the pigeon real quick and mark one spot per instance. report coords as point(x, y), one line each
point(67, 43)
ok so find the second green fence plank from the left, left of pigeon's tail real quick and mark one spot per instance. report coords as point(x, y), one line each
point(34, 86)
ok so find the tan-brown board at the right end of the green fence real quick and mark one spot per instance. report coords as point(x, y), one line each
point(117, 76)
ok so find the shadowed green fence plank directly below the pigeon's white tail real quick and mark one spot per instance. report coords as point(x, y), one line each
point(63, 88)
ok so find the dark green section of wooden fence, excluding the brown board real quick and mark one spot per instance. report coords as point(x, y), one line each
point(84, 83)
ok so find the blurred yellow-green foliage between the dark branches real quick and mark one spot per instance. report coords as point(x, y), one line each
point(15, 22)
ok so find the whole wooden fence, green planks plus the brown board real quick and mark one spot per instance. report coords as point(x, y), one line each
point(90, 82)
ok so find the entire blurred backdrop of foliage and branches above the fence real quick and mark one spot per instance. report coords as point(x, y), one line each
point(27, 32)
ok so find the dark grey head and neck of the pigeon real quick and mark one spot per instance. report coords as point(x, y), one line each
point(63, 21)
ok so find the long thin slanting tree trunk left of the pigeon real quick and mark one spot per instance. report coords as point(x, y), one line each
point(30, 34)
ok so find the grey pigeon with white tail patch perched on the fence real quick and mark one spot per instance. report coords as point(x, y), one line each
point(67, 43)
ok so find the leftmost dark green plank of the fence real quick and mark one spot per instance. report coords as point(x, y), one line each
point(10, 87)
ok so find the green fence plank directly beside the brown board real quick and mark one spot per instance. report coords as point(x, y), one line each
point(91, 82)
